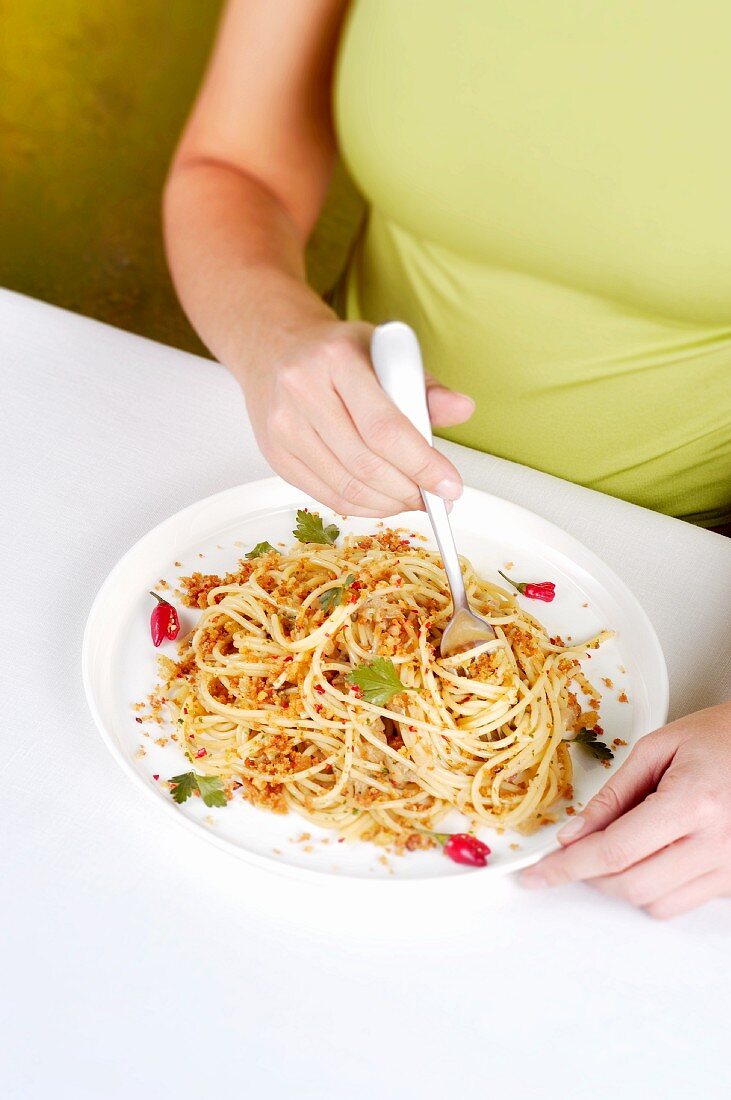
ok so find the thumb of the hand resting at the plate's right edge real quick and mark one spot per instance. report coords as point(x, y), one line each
point(638, 777)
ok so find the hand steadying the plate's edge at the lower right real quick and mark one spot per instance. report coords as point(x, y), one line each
point(659, 833)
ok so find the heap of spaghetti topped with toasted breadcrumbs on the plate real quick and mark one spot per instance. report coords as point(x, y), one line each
point(313, 684)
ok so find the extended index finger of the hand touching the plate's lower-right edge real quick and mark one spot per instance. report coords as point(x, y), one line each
point(644, 831)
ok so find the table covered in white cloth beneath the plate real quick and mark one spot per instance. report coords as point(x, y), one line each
point(138, 961)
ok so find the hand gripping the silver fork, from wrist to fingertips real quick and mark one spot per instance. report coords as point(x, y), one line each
point(326, 426)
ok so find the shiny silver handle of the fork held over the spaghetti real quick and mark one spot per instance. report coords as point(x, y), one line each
point(397, 362)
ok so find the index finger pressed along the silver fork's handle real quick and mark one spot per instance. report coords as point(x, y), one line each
point(392, 436)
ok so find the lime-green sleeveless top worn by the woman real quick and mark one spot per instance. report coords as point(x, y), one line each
point(549, 193)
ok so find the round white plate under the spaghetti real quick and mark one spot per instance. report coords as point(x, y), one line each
point(120, 665)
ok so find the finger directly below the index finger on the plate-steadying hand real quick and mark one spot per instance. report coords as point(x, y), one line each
point(654, 878)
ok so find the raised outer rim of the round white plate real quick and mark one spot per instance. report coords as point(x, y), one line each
point(283, 494)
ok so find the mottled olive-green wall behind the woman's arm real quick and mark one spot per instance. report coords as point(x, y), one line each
point(93, 98)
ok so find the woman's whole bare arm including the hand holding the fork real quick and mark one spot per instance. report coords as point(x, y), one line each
point(245, 193)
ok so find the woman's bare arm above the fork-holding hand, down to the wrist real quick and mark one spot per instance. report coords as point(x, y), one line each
point(252, 170)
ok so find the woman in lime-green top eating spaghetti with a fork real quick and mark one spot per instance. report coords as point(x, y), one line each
point(548, 191)
